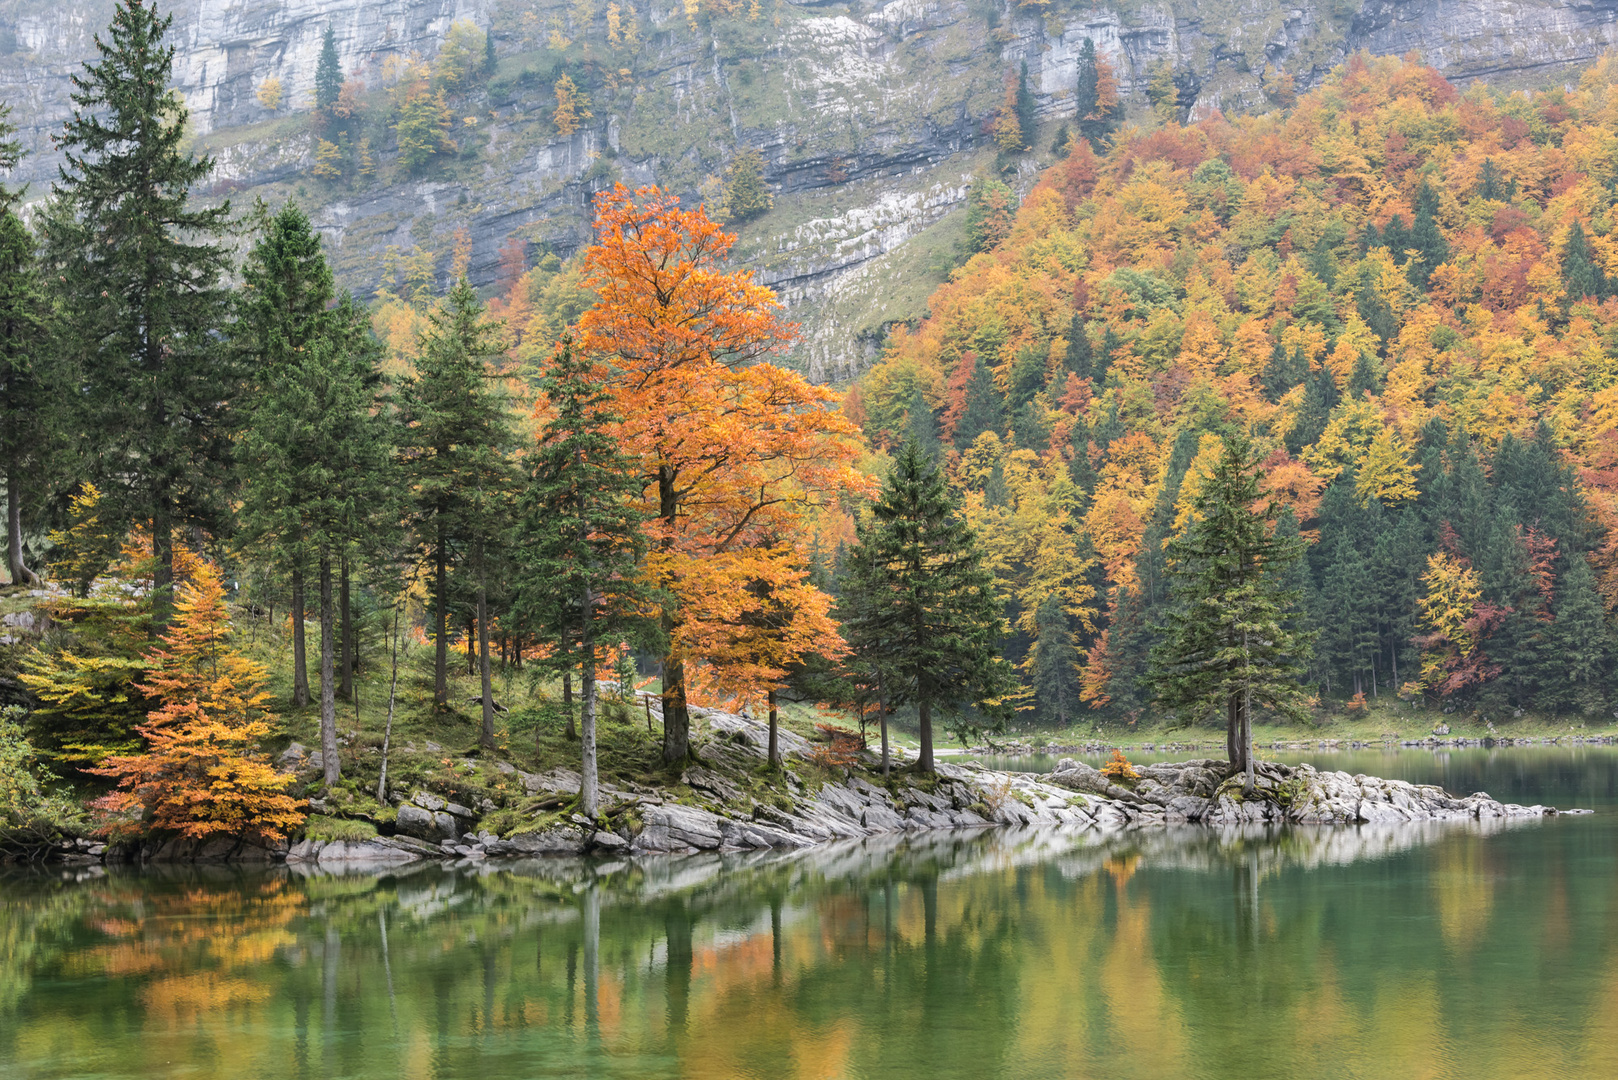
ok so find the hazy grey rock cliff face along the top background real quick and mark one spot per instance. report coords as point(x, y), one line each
point(871, 121)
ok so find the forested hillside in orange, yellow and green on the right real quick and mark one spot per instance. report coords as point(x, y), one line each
point(1404, 291)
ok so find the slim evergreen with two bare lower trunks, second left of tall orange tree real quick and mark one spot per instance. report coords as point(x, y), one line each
point(457, 443)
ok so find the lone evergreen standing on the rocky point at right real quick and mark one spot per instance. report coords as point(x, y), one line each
point(1227, 645)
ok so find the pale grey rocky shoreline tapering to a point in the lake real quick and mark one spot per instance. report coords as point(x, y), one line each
point(719, 806)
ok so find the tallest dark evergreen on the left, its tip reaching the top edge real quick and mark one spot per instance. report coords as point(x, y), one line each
point(143, 287)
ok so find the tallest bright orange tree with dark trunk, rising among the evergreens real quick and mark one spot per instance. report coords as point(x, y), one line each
point(729, 446)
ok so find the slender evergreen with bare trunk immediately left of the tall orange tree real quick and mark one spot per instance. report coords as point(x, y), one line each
point(582, 537)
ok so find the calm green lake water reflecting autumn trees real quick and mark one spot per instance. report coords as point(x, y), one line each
point(1313, 953)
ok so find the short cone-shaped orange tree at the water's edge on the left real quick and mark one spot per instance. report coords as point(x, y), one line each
point(203, 775)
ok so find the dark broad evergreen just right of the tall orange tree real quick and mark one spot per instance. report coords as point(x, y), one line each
point(925, 613)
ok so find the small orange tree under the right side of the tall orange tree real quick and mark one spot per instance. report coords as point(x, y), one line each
point(760, 623)
